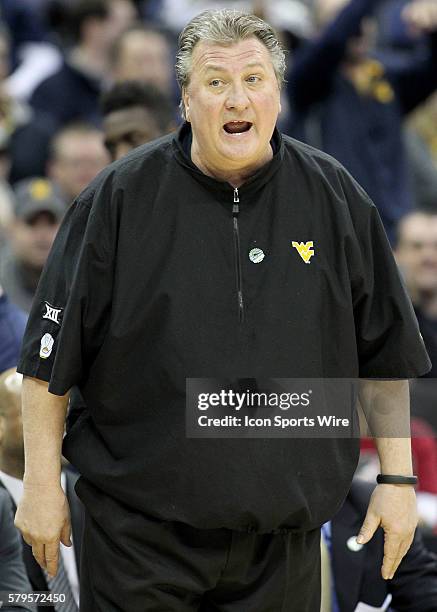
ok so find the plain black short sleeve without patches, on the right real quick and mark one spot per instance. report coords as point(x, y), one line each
point(388, 339)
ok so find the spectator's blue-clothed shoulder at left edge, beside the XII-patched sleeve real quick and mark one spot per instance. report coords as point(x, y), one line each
point(12, 325)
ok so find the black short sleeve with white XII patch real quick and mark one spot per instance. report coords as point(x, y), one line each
point(71, 309)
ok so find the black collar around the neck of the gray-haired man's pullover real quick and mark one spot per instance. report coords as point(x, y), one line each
point(253, 184)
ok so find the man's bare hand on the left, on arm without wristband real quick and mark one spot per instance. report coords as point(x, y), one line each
point(43, 517)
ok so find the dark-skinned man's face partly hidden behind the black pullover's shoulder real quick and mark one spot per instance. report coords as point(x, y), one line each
point(127, 128)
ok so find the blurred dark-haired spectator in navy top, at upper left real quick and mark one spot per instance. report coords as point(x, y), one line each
point(72, 93)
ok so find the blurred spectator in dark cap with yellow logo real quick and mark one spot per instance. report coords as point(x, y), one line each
point(38, 213)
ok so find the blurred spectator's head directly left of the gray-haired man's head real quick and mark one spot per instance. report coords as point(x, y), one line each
point(143, 54)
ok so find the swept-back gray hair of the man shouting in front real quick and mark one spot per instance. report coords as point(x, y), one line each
point(225, 26)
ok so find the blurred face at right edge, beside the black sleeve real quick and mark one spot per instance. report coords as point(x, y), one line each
point(416, 252)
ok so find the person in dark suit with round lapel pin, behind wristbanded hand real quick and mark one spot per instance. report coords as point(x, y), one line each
point(355, 569)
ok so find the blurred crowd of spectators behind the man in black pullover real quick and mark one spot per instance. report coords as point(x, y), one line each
point(82, 82)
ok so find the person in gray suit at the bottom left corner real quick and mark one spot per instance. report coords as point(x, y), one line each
point(13, 579)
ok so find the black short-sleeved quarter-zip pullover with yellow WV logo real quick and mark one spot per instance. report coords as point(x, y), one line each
point(152, 282)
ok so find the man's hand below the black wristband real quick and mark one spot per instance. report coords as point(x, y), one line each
point(393, 507)
